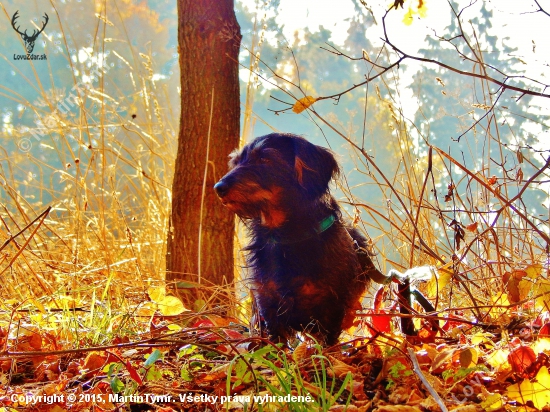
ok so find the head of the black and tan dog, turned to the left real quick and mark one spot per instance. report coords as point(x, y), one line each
point(272, 174)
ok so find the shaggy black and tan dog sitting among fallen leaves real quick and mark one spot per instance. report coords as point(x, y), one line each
point(309, 268)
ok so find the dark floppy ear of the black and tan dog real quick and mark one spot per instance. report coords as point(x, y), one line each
point(315, 166)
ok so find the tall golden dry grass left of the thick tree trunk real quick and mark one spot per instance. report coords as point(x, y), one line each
point(99, 154)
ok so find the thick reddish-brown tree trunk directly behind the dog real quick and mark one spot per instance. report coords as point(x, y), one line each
point(209, 40)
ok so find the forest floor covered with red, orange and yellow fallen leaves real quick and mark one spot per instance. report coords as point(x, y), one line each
point(164, 357)
